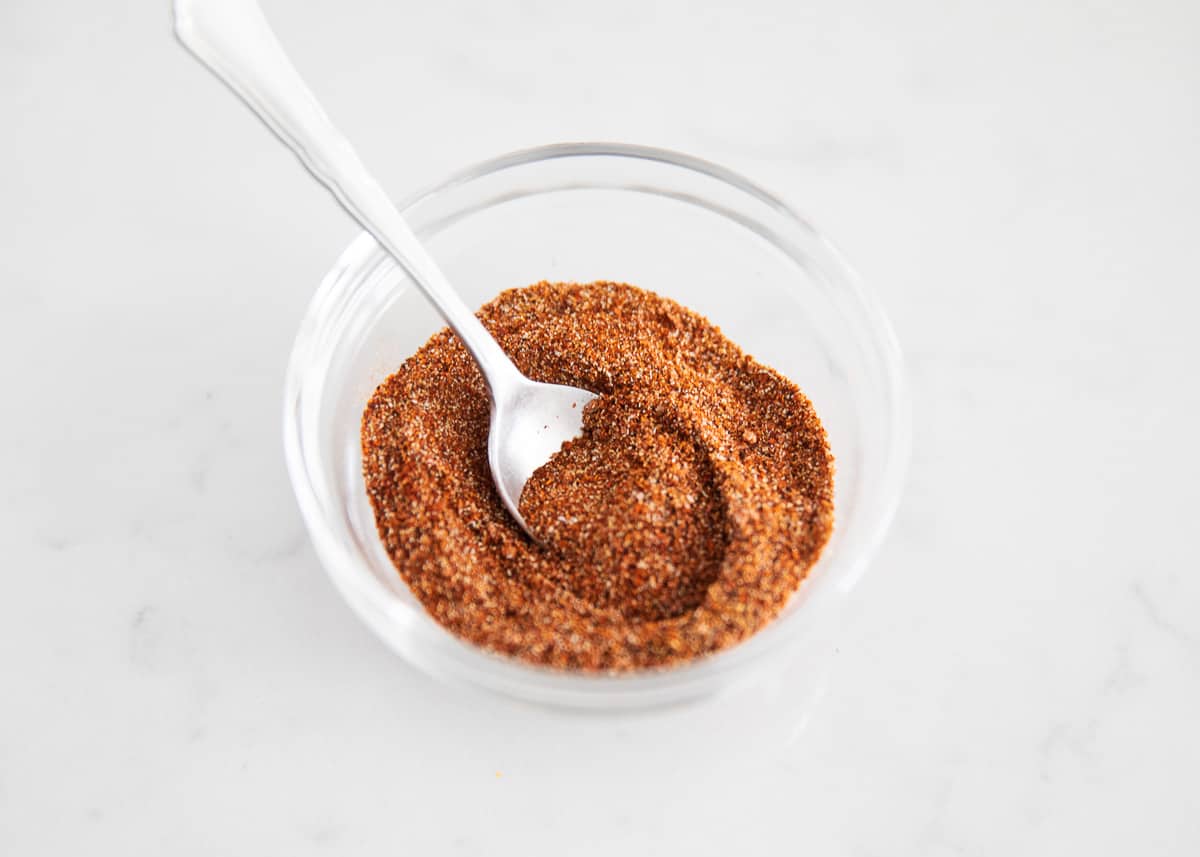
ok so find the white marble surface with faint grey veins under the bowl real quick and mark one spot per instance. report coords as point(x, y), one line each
point(1022, 670)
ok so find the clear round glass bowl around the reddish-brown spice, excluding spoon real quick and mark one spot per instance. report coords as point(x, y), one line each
point(679, 226)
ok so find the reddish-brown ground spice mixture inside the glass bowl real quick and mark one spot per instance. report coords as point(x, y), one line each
point(679, 524)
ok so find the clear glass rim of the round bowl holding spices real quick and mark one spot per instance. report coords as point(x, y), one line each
point(527, 681)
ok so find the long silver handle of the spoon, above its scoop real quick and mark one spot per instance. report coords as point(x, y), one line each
point(233, 39)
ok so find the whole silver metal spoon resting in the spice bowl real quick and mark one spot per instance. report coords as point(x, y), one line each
point(530, 419)
